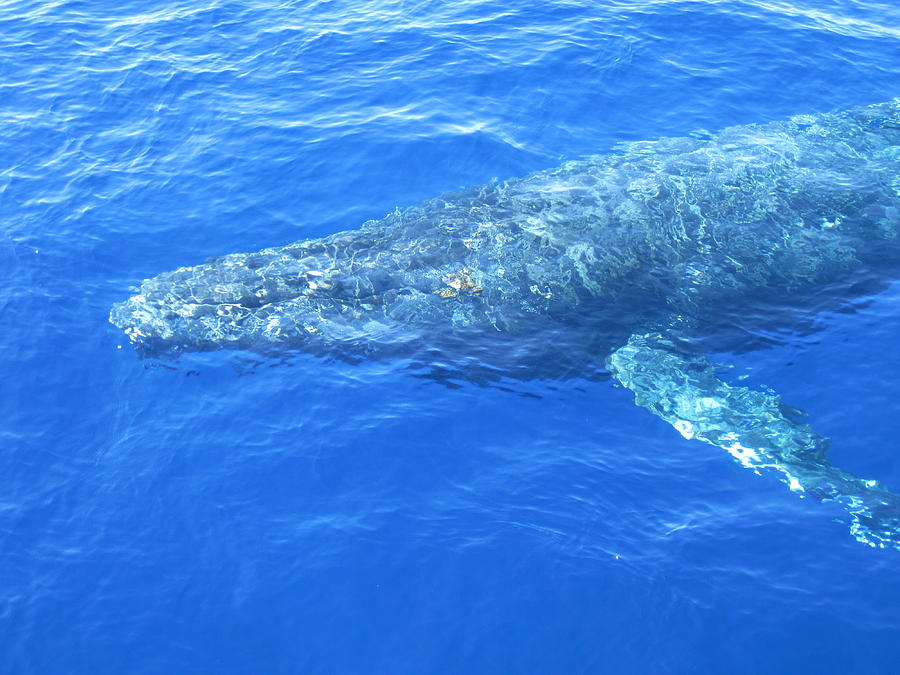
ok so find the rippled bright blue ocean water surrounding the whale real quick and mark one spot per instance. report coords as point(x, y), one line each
point(225, 514)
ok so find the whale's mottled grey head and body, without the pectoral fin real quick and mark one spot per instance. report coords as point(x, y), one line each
point(615, 243)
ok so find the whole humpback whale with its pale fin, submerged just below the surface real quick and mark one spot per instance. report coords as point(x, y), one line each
point(639, 262)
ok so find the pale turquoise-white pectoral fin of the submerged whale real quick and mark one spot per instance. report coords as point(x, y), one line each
point(754, 427)
